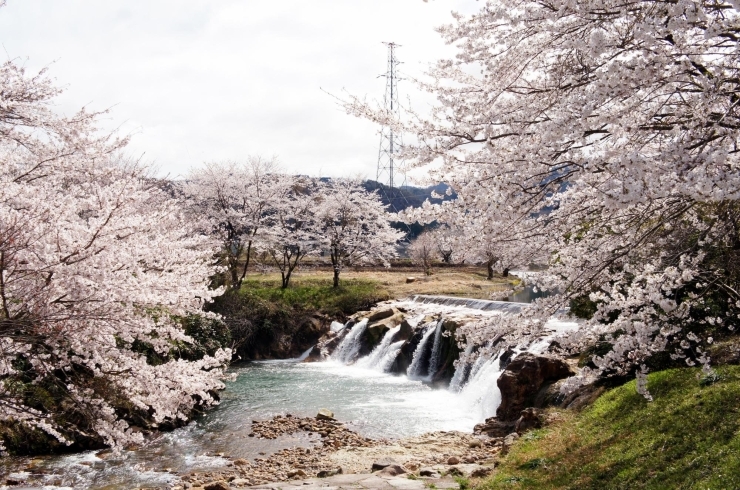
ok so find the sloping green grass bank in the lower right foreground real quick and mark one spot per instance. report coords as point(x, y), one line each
point(689, 437)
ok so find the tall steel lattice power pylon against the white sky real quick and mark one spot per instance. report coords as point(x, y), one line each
point(391, 142)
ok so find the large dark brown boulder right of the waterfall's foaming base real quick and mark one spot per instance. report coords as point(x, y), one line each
point(523, 379)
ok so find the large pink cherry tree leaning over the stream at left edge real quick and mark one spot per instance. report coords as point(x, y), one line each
point(96, 263)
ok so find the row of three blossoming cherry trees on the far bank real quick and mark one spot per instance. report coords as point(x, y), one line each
point(254, 208)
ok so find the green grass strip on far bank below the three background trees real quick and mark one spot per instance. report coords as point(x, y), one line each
point(315, 293)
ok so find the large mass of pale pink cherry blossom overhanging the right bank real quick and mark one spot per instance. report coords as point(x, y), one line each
point(599, 137)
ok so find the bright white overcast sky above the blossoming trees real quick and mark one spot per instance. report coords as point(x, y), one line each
point(203, 80)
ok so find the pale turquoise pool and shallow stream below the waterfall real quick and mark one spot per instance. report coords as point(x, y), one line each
point(370, 401)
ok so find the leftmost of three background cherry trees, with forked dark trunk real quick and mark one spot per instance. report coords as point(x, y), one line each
point(234, 201)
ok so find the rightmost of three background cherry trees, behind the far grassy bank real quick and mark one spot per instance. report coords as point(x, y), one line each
point(355, 226)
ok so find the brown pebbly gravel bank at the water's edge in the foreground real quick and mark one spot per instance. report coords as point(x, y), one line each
point(345, 458)
